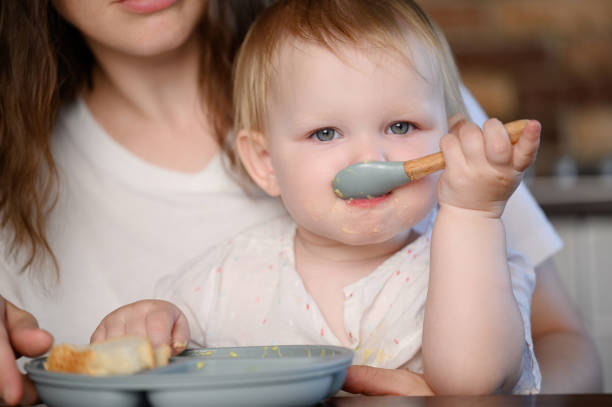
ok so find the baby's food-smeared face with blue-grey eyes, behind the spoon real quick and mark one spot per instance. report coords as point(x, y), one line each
point(326, 113)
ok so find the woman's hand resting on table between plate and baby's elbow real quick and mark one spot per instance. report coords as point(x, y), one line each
point(376, 381)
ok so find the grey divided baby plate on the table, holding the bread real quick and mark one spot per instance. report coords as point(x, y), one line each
point(292, 375)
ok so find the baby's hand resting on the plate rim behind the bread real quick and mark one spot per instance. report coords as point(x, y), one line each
point(161, 321)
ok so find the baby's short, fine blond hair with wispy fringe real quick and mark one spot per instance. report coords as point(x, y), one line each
point(378, 24)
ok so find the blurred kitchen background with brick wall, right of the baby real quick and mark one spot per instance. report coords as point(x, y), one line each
point(551, 60)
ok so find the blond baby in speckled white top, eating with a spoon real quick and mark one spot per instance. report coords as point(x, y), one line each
point(417, 279)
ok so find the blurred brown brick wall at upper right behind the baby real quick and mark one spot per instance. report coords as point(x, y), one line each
point(544, 59)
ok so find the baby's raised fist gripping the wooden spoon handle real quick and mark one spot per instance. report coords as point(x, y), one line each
point(482, 167)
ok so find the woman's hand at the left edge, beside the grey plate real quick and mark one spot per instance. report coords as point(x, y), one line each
point(19, 336)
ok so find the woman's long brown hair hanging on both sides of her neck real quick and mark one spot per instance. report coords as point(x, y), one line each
point(45, 63)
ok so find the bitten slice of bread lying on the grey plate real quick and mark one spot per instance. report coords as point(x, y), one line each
point(119, 356)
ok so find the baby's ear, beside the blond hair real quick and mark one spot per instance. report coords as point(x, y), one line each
point(253, 150)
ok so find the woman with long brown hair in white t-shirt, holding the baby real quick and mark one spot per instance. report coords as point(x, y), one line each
point(135, 94)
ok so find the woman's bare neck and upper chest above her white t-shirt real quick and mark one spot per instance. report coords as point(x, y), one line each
point(152, 105)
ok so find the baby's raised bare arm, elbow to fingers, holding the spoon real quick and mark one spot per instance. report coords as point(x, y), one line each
point(473, 334)
